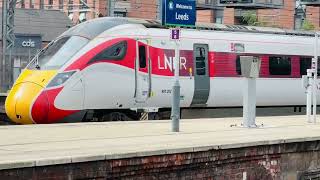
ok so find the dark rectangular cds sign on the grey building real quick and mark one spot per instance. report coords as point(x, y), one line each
point(28, 41)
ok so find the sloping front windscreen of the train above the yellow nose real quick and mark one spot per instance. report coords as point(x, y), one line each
point(57, 53)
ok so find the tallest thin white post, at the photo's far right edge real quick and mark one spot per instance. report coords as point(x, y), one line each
point(315, 75)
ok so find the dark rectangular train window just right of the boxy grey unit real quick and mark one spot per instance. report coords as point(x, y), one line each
point(280, 65)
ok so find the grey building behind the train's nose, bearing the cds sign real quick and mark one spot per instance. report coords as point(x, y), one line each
point(33, 30)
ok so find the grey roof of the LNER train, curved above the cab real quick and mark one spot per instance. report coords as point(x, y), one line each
point(94, 27)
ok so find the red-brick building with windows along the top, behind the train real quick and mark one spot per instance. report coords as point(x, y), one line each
point(290, 16)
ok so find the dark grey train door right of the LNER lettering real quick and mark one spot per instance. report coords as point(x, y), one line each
point(201, 75)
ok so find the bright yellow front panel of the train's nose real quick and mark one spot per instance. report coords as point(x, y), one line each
point(23, 94)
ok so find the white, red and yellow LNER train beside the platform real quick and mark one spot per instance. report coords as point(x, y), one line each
point(117, 68)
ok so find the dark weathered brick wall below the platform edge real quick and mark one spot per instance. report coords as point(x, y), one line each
point(282, 161)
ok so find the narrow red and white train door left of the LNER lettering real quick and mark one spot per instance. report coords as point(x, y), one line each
point(142, 72)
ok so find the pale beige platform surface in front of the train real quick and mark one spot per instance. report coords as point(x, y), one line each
point(39, 145)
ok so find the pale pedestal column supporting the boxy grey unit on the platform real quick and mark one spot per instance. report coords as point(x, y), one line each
point(249, 102)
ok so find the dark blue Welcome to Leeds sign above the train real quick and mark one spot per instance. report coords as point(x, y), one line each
point(179, 12)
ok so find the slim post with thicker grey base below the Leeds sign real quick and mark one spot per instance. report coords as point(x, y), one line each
point(175, 111)
